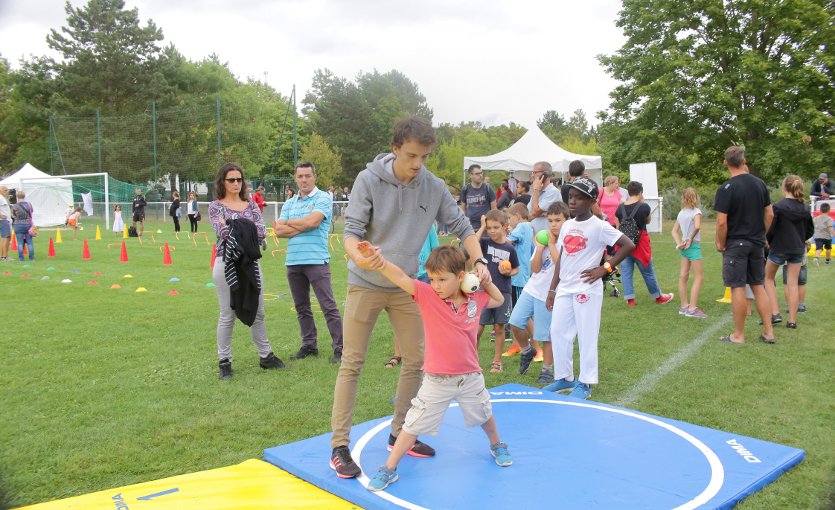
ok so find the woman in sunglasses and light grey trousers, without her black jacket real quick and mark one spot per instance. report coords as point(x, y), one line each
point(232, 203)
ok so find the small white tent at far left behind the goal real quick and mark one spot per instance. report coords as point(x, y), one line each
point(50, 196)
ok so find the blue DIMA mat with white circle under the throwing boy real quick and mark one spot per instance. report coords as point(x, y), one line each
point(566, 452)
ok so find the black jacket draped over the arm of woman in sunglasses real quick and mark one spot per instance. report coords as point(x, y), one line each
point(242, 272)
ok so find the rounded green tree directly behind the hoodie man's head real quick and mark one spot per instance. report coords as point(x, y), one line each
point(359, 117)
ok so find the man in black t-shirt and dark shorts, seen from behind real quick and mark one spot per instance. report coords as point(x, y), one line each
point(744, 216)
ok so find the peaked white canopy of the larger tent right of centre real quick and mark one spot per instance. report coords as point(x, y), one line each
point(532, 148)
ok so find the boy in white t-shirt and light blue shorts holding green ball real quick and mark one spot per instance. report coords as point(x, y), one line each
point(531, 303)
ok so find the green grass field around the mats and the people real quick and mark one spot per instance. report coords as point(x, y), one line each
point(107, 387)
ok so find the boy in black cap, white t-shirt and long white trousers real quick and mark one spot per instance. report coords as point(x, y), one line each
point(577, 302)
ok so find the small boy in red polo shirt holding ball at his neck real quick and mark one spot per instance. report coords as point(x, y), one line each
point(451, 370)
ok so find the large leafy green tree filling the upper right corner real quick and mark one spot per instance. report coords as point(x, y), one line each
point(697, 77)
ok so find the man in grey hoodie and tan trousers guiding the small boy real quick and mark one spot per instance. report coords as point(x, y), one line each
point(393, 199)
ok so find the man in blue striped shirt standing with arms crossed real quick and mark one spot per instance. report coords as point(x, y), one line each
point(305, 220)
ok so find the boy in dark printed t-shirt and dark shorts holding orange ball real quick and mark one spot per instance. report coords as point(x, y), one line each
point(502, 263)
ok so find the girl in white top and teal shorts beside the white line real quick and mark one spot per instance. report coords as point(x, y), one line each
point(689, 223)
